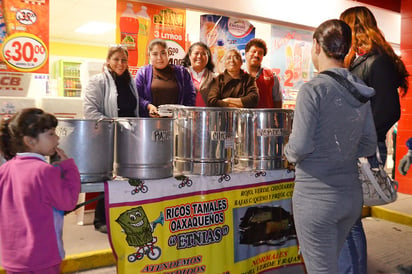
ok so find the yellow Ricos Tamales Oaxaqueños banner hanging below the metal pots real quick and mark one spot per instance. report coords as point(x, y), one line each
point(237, 223)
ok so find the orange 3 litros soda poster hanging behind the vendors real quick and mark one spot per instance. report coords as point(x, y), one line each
point(139, 23)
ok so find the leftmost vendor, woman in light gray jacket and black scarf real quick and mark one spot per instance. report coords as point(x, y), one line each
point(109, 94)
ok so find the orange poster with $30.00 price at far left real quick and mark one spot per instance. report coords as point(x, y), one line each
point(24, 36)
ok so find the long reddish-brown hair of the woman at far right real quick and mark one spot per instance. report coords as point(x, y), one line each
point(367, 37)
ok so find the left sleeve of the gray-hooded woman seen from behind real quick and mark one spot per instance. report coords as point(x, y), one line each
point(301, 141)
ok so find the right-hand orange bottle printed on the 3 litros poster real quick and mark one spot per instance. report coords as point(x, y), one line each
point(144, 30)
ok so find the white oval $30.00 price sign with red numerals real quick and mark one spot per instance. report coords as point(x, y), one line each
point(24, 52)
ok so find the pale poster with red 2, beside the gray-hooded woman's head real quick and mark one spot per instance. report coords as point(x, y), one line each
point(291, 60)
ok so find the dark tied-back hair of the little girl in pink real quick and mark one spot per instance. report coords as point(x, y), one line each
point(27, 122)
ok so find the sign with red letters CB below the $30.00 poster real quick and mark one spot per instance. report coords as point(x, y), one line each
point(14, 84)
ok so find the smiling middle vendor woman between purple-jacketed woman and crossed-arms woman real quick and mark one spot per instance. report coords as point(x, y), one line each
point(199, 63)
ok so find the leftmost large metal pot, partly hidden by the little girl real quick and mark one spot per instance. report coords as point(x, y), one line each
point(90, 143)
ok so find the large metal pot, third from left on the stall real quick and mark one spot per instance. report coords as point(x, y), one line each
point(204, 140)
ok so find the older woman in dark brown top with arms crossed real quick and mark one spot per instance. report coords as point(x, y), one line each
point(233, 87)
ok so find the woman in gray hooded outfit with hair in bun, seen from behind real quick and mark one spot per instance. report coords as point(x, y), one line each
point(331, 129)
